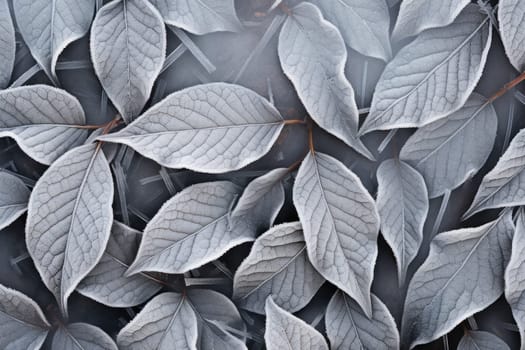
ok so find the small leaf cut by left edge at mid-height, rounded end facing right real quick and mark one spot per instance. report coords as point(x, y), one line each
point(14, 196)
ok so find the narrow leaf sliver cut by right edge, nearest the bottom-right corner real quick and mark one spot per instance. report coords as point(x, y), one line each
point(514, 277)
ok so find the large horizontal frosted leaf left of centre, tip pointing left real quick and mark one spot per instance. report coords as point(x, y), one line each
point(211, 128)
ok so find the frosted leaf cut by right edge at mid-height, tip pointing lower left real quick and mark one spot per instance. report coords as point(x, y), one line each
point(503, 186)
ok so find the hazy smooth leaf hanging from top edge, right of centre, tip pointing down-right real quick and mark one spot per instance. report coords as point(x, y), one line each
point(364, 24)
